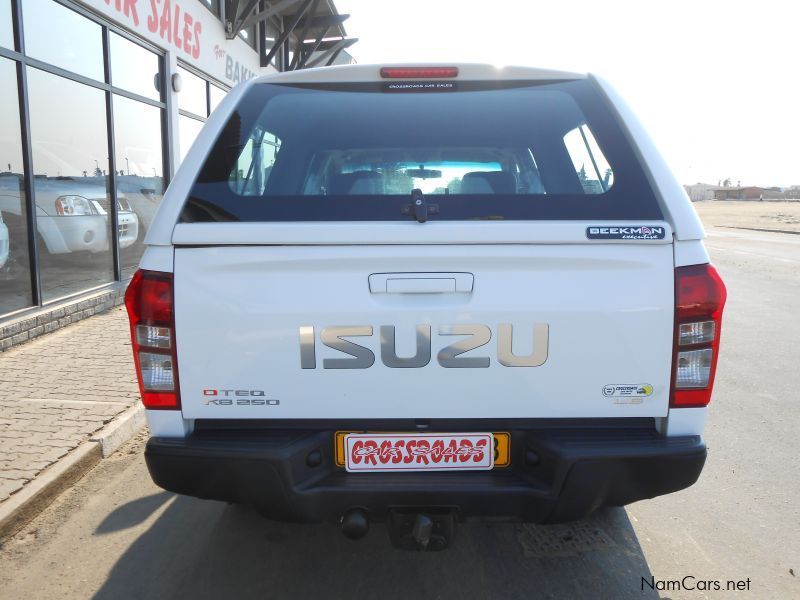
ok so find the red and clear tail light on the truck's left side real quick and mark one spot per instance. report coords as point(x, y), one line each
point(149, 300)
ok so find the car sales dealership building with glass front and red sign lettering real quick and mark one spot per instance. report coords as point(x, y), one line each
point(100, 101)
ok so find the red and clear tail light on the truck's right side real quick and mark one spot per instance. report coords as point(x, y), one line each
point(699, 300)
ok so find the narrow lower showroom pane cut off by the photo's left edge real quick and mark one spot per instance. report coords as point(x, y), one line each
point(15, 277)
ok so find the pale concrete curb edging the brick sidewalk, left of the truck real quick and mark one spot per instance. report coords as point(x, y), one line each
point(21, 508)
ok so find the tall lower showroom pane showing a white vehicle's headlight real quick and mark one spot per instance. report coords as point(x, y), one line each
point(70, 177)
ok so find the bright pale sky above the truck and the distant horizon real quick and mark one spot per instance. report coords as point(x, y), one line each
point(716, 84)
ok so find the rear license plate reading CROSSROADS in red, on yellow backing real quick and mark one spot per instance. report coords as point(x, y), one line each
point(381, 452)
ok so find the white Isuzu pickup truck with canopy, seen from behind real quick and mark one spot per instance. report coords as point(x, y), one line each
point(420, 294)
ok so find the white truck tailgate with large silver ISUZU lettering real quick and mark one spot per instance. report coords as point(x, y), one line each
point(385, 331)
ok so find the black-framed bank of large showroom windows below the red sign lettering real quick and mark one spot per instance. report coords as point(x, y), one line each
point(94, 115)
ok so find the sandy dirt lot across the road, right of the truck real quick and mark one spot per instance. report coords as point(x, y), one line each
point(744, 214)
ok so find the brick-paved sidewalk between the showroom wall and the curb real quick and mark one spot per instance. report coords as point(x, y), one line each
point(58, 390)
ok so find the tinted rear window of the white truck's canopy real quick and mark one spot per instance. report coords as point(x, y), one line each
point(482, 150)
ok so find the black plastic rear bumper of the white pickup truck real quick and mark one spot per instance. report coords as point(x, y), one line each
point(578, 471)
